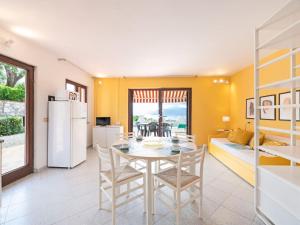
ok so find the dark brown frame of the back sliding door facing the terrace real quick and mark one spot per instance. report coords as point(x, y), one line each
point(160, 103)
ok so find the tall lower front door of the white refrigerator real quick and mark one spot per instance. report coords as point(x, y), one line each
point(79, 141)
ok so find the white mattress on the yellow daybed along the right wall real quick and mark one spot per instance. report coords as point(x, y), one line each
point(244, 153)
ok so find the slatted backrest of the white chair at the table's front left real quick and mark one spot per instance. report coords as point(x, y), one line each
point(106, 155)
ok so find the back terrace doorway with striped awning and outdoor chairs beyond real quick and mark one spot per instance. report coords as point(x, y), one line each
point(162, 112)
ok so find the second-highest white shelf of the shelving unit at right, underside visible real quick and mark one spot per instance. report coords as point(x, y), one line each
point(287, 38)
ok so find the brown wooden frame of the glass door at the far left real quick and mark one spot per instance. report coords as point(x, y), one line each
point(29, 124)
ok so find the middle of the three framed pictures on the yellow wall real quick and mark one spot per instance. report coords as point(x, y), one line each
point(268, 113)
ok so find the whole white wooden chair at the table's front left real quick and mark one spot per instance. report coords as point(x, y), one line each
point(112, 178)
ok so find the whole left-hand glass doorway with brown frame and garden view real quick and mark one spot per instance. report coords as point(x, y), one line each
point(16, 118)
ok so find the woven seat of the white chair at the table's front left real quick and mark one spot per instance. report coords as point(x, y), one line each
point(123, 173)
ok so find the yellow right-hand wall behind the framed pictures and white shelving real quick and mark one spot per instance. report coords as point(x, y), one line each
point(242, 85)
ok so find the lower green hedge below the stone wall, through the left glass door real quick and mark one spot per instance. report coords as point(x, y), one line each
point(11, 125)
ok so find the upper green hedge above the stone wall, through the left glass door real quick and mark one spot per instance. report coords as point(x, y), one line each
point(12, 93)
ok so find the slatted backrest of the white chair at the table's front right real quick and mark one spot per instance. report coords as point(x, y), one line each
point(187, 159)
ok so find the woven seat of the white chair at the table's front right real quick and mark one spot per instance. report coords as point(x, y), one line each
point(170, 176)
